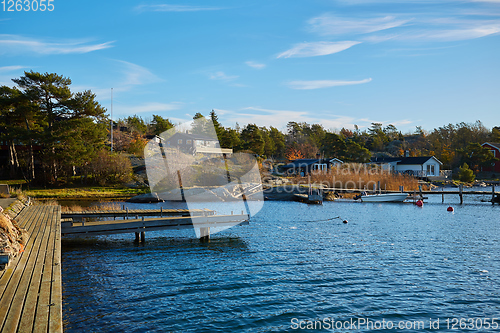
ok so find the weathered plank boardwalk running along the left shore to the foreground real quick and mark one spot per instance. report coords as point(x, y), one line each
point(30, 287)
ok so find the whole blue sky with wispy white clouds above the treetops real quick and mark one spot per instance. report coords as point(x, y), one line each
point(334, 62)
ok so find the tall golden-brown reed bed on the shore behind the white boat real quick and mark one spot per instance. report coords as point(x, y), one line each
point(359, 177)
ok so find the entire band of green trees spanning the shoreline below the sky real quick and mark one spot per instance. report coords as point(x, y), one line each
point(48, 132)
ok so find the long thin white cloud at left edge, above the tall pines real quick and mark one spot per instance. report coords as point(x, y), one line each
point(14, 44)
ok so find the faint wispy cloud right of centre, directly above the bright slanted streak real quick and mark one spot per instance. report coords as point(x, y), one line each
point(329, 24)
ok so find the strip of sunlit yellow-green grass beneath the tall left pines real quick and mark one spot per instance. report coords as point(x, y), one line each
point(72, 191)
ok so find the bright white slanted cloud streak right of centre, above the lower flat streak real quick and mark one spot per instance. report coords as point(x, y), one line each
point(314, 49)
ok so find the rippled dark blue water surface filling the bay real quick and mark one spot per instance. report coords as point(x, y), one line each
point(392, 262)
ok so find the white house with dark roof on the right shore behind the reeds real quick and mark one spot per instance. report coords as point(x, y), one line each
point(424, 166)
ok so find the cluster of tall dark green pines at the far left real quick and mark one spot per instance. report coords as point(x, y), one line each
point(50, 133)
